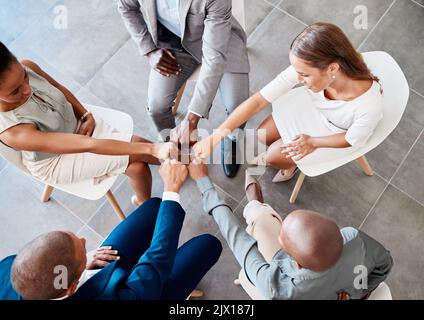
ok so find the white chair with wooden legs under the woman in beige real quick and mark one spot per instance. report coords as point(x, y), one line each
point(84, 189)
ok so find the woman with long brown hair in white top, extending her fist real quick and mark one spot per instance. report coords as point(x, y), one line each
point(338, 106)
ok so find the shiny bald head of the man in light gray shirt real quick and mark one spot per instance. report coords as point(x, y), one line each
point(311, 239)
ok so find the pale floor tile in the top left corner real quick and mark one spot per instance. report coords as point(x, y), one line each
point(20, 15)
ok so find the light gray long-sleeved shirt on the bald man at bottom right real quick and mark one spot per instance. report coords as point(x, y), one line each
point(281, 279)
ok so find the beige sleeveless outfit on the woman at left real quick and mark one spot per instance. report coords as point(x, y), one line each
point(49, 110)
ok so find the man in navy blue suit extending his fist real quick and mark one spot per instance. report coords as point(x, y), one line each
point(139, 260)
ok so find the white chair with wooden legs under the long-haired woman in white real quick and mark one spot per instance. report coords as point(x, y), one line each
point(395, 97)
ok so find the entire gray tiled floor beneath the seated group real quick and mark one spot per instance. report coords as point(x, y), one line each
point(96, 59)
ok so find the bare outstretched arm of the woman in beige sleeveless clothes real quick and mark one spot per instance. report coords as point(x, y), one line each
point(27, 137)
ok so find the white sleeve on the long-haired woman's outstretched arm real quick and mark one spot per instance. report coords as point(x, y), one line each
point(283, 83)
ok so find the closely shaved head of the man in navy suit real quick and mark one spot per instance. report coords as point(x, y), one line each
point(33, 271)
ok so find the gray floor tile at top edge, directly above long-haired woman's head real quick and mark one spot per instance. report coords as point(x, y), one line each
point(340, 13)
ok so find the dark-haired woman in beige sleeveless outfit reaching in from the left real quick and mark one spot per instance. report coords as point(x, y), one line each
point(61, 142)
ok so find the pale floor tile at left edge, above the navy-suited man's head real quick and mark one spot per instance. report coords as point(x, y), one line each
point(23, 216)
